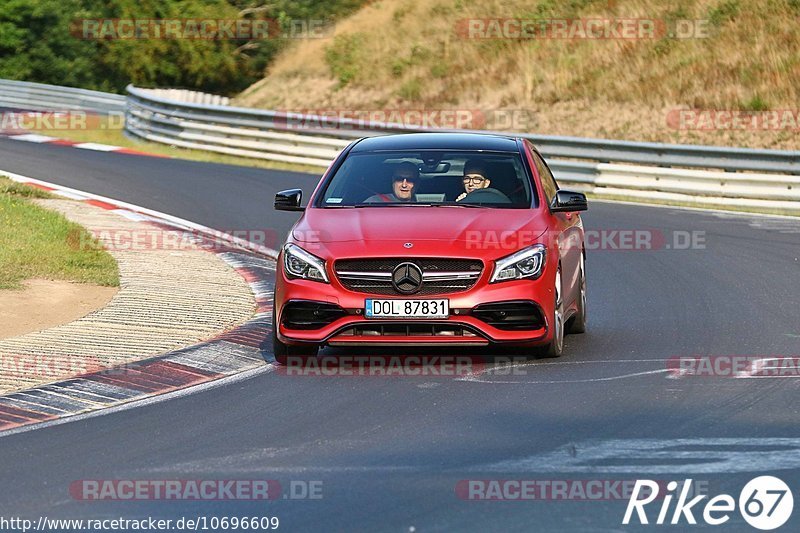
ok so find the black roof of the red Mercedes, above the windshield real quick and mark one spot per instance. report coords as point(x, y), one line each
point(438, 141)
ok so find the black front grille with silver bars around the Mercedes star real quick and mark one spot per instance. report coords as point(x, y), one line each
point(440, 276)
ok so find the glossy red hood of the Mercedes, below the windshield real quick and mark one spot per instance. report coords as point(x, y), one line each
point(415, 224)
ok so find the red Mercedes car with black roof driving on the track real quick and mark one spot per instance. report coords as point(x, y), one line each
point(432, 239)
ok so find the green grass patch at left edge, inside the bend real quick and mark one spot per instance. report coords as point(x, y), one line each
point(38, 243)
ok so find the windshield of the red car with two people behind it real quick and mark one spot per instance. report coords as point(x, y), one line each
point(468, 179)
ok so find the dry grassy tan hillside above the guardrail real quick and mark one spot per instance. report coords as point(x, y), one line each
point(736, 55)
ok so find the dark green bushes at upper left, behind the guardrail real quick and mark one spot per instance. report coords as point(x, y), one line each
point(36, 43)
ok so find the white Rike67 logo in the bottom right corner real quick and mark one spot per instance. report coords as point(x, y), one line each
point(765, 503)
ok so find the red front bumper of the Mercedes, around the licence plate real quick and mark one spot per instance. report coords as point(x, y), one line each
point(342, 310)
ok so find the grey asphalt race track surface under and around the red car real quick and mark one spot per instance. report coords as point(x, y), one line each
point(390, 451)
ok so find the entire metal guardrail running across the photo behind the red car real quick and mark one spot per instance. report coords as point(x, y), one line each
point(701, 175)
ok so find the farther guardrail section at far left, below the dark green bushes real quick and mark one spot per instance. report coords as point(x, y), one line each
point(43, 97)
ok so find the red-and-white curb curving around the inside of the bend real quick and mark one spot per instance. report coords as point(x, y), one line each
point(243, 348)
